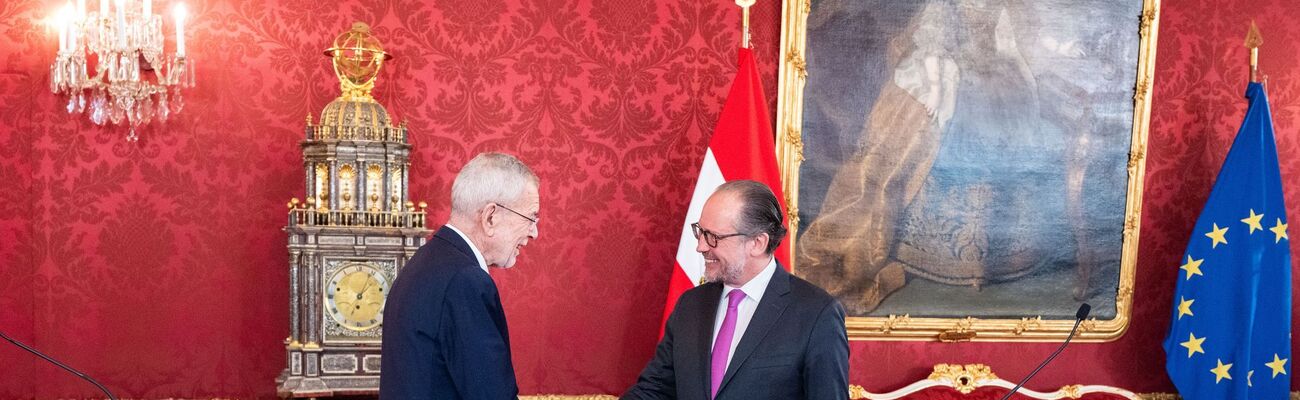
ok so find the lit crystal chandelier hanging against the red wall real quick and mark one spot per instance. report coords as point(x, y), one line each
point(111, 64)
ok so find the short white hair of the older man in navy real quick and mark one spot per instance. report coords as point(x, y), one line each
point(489, 179)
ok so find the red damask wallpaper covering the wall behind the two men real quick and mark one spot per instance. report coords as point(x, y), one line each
point(159, 268)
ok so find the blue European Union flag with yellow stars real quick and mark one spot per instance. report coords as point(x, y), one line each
point(1230, 336)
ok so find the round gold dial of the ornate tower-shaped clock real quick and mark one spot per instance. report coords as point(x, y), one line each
point(356, 295)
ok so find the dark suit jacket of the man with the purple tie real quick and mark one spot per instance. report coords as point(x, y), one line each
point(795, 347)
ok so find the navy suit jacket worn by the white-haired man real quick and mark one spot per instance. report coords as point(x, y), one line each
point(445, 333)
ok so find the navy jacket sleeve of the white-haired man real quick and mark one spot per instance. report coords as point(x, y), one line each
point(478, 356)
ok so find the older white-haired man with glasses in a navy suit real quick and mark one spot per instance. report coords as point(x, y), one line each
point(445, 333)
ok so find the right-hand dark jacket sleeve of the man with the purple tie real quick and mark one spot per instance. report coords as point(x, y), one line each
point(826, 372)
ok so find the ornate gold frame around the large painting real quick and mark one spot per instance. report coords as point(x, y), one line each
point(794, 79)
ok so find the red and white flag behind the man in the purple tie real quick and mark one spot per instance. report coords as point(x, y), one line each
point(743, 147)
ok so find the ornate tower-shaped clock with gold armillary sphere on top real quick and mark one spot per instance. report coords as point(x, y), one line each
point(352, 236)
